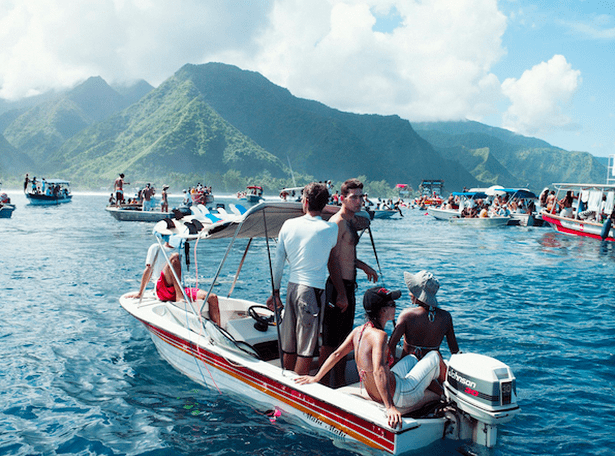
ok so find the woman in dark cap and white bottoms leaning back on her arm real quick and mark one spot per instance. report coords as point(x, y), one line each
point(403, 386)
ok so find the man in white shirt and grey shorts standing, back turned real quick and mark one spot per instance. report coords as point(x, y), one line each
point(306, 243)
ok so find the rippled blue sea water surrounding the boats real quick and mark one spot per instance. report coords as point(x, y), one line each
point(81, 376)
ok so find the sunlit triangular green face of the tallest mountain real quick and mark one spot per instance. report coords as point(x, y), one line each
point(168, 132)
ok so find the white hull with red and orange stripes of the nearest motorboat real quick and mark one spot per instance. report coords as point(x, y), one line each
point(342, 414)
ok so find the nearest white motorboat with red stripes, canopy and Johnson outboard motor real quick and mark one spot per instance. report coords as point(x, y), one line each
point(241, 358)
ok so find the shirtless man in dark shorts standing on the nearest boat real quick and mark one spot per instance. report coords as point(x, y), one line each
point(343, 263)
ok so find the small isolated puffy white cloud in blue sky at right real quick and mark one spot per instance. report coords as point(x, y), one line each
point(539, 96)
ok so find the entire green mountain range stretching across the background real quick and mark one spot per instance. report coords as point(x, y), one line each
point(220, 124)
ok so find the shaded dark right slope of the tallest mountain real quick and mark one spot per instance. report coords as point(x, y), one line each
point(318, 140)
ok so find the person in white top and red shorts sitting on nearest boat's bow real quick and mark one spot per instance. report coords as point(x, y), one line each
point(167, 288)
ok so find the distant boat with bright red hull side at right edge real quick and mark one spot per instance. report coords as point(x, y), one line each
point(592, 194)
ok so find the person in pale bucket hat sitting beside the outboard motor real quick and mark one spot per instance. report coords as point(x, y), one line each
point(425, 326)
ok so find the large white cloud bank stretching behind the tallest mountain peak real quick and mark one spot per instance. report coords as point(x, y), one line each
point(434, 65)
